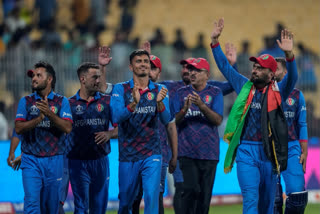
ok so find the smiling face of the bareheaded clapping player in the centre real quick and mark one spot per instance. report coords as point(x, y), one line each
point(140, 65)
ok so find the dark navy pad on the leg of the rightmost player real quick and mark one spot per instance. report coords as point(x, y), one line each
point(296, 202)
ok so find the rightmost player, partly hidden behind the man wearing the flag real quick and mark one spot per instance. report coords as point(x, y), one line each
point(295, 112)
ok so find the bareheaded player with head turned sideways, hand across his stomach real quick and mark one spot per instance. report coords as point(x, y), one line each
point(90, 146)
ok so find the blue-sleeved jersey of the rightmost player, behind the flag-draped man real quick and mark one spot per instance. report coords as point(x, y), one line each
point(295, 111)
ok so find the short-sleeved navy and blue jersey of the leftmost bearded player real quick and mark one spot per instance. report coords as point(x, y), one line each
point(45, 139)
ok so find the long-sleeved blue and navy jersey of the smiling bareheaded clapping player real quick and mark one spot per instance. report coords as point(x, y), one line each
point(138, 130)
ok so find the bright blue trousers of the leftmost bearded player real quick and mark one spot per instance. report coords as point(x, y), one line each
point(42, 178)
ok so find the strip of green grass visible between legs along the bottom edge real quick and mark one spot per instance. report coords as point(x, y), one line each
point(234, 209)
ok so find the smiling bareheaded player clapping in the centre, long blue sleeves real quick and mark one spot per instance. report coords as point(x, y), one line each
point(137, 105)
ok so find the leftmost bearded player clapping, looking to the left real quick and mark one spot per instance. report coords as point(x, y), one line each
point(43, 119)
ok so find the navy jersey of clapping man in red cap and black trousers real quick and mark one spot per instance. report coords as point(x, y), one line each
point(198, 138)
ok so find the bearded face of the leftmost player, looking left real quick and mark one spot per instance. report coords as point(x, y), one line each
point(40, 79)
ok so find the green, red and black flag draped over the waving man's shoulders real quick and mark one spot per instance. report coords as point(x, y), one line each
point(273, 124)
